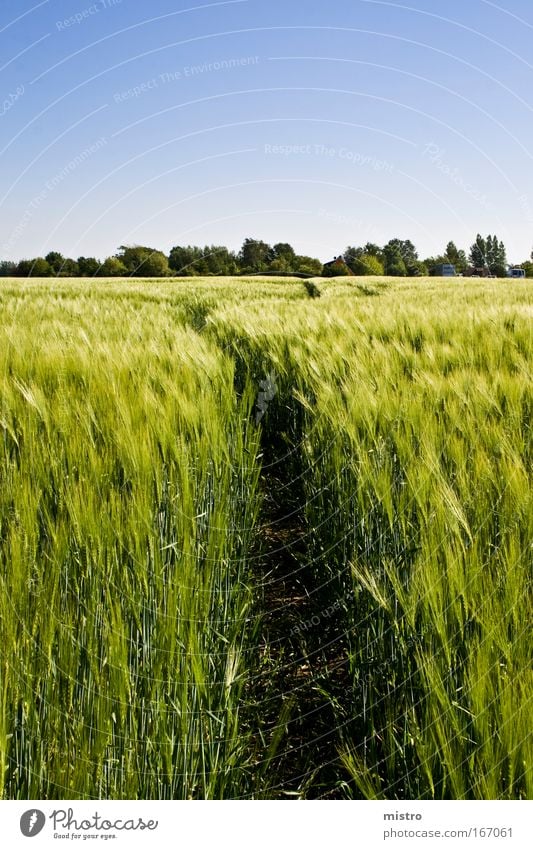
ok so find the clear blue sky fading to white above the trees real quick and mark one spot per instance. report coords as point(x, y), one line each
point(322, 124)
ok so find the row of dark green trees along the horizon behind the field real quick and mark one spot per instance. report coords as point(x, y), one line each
point(398, 258)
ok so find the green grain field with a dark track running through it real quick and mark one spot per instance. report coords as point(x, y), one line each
point(265, 539)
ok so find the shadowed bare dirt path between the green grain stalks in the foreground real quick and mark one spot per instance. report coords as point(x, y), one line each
point(301, 655)
